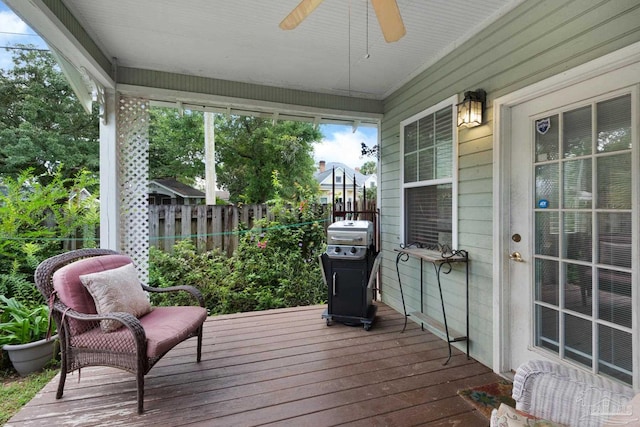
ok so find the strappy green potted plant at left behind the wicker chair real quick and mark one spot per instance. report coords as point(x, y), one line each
point(21, 323)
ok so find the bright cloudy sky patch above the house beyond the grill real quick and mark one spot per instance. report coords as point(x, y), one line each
point(341, 144)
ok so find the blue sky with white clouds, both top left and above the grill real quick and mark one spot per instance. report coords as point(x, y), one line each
point(339, 143)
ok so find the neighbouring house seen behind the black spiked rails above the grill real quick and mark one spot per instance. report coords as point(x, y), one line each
point(338, 177)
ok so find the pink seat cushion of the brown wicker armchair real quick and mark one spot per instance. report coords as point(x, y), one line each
point(164, 327)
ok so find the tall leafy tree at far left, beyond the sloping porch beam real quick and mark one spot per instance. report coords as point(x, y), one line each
point(41, 121)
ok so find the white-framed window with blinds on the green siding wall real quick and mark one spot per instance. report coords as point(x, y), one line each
point(428, 154)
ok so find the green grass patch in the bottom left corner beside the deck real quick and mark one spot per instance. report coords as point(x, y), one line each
point(17, 391)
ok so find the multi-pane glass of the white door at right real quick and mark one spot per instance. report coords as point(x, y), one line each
point(583, 278)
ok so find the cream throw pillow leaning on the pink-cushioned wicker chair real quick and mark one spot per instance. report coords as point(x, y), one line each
point(116, 290)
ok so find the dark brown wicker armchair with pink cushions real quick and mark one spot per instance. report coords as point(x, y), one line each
point(138, 345)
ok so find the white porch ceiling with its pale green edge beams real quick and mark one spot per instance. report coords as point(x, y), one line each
point(161, 49)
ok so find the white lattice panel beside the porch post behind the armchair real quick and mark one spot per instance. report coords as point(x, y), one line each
point(133, 143)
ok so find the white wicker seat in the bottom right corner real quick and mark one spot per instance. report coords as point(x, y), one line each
point(569, 397)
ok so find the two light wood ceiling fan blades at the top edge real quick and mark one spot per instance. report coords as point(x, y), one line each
point(386, 10)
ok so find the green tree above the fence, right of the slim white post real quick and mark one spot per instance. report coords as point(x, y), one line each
point(250, 149)
